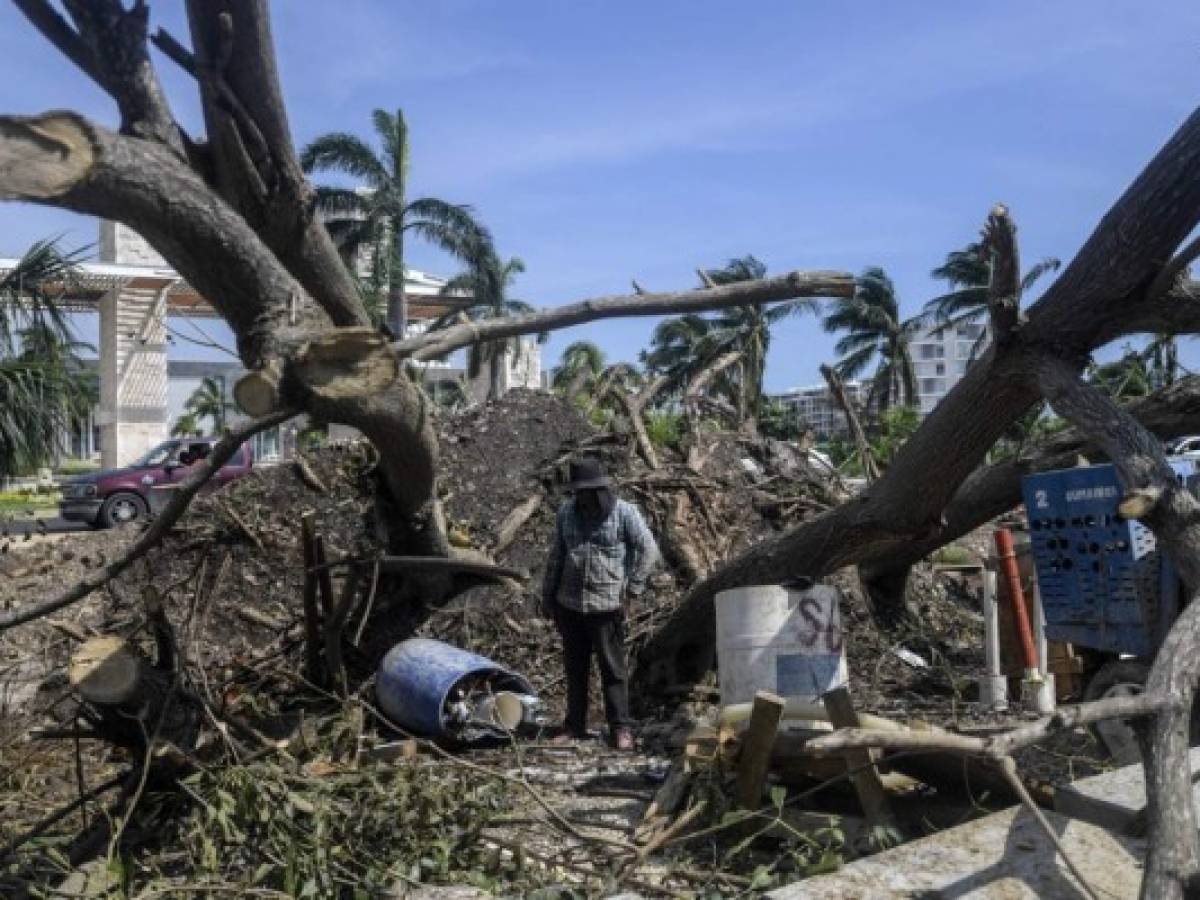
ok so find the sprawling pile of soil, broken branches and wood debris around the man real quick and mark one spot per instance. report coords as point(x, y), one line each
point(230, 580)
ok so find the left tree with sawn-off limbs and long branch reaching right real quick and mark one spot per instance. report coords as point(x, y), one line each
point(237, 219)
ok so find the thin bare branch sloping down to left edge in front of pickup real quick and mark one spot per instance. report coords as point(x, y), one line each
point(223, 452)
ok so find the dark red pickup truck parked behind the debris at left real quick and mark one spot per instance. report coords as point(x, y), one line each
point(113, 497)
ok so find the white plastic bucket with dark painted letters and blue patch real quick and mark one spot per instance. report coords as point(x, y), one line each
point(782, 640)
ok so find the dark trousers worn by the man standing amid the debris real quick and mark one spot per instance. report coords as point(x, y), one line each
point(603, 634)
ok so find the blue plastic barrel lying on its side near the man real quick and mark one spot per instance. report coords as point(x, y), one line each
point(417, 677)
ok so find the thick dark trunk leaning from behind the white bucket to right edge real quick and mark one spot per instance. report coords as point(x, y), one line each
point(1091, 303)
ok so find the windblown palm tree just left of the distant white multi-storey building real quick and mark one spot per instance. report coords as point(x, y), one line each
point(875, 333)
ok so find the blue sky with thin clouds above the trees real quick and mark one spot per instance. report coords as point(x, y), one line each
point(611, 141)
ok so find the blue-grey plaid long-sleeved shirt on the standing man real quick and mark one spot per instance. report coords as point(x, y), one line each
point(593, 562)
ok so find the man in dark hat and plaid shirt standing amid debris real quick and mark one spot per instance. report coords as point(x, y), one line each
point(603, 555)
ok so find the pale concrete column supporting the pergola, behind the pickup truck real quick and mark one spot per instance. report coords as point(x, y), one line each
point(133, 371)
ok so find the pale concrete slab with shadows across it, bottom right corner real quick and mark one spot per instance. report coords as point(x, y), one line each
point(1001, 857)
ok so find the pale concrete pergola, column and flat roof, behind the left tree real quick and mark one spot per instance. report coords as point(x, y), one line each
point(134, 291)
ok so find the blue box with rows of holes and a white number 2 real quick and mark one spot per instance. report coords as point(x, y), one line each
point(1105, 584)
